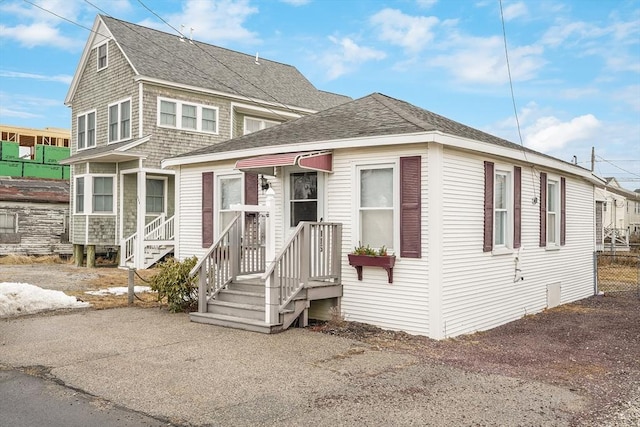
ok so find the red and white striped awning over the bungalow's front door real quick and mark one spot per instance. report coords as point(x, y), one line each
point(314, 160)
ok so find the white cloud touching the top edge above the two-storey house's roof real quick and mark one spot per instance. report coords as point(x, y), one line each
point(213, 21)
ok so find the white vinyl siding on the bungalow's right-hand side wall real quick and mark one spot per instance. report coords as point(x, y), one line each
point(478, 290)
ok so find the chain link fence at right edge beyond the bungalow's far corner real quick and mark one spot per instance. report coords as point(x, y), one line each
point(618, 272)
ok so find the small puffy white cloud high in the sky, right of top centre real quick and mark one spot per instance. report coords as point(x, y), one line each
point(412, 33)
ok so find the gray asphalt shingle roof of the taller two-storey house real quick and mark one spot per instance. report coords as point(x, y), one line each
point(164, 56)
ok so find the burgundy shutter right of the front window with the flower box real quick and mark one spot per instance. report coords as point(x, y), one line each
point(410, 207)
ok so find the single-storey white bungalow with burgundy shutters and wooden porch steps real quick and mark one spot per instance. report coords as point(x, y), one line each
point(479, 231)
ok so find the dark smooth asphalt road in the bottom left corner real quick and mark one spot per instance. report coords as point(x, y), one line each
point(29, 401)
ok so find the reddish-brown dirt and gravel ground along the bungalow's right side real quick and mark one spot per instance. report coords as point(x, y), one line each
point(591, 346)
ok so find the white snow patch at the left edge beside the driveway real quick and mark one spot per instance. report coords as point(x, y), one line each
point(23, 298)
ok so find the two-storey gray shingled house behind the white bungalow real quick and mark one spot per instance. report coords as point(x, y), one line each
point(141, 95)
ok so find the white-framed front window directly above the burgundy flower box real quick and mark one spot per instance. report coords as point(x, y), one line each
point(376, 205)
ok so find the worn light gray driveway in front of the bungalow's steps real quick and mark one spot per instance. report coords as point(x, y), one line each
point(162, 365)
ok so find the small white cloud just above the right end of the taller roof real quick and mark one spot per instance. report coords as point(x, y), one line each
point(347, 57)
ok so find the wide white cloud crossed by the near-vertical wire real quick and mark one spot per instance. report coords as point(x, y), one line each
point(482, 60)
